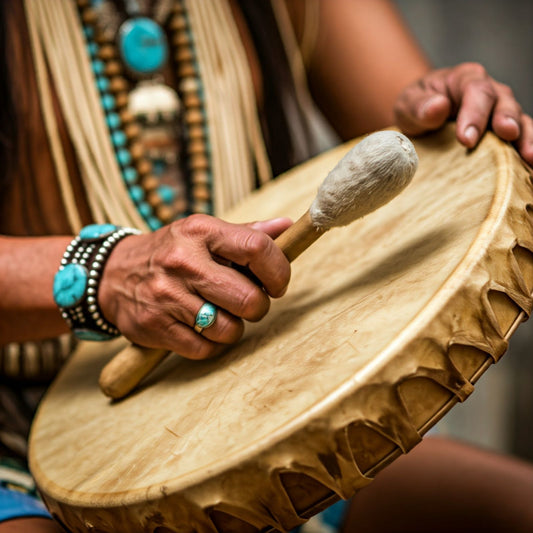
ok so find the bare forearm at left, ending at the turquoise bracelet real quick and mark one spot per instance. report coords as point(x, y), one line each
point(27, 269)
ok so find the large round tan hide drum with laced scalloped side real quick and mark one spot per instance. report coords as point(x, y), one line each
point(387, 323)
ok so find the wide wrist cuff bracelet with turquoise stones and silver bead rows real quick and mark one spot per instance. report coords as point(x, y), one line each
point(77, 280)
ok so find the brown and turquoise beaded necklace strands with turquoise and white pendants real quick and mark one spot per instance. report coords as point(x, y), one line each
point(153, 109)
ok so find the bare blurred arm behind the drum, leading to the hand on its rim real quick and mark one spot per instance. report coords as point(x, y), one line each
point(364, 57)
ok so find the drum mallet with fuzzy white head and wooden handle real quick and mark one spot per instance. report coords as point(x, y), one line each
point(371, 174)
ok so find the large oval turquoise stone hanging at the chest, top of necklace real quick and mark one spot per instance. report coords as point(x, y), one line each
point(143, 45)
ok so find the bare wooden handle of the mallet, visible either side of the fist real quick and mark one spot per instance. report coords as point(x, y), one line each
point(126, 370)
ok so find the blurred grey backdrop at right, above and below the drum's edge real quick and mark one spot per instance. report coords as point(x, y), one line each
point(498, 34)
